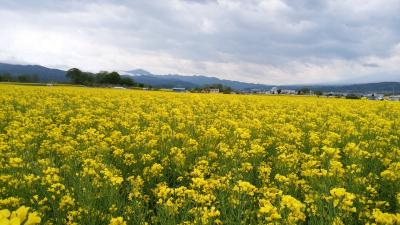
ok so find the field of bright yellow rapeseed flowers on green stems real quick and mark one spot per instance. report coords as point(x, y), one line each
point(71, 155)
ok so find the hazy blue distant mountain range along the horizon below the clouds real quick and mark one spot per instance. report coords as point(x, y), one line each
point(173, 80)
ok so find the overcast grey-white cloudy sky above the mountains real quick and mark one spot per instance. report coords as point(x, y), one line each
point(261, 41)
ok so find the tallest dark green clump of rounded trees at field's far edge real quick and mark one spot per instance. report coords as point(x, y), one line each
point(102, 78)
